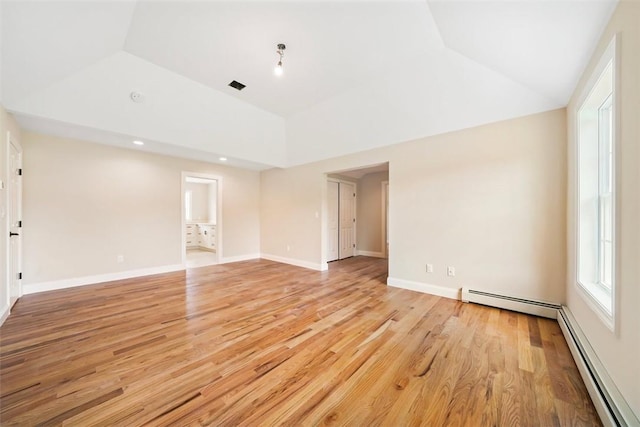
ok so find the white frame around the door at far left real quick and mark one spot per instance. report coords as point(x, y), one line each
point(12, 298)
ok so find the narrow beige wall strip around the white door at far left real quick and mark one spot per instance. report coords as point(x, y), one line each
point(7, 124)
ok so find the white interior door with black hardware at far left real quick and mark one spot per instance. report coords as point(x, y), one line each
point(15, 221)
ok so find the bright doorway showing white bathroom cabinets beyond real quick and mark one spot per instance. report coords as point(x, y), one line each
point(201, 220)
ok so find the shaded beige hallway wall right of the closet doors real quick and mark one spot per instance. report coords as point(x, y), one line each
point(369, 211)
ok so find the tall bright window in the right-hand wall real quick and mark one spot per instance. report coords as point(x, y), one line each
point(596, 188)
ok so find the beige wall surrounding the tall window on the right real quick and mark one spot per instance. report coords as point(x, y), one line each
point(619, 352)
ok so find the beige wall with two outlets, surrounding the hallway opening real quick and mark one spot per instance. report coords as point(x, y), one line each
point(489, 201)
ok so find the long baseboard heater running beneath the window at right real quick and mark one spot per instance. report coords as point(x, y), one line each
point(611, 406)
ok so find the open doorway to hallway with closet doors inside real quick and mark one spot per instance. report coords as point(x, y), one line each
point(357, 212)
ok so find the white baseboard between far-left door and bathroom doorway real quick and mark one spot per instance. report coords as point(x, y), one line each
point(33, 288)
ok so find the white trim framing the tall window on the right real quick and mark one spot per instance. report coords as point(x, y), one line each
point(610, 54)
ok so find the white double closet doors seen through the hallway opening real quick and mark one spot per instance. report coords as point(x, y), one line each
point(341, 210)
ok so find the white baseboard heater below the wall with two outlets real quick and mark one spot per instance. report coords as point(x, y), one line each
point(537, 308)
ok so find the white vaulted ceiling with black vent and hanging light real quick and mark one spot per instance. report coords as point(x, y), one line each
point(358, 74)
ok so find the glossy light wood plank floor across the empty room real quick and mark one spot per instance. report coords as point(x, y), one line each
point(261, 343)
